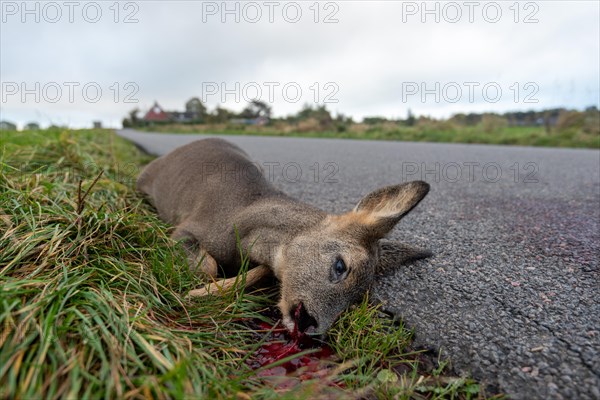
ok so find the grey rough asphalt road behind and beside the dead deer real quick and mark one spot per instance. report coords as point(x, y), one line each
point(512, 293)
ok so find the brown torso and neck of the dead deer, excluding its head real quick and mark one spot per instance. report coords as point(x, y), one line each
point(187, 187)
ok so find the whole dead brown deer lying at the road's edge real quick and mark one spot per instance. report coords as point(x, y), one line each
point(211, 191)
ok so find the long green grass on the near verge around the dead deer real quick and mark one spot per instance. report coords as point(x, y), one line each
point(92, 296)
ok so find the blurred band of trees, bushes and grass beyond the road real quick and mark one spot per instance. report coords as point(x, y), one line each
point(550, 128)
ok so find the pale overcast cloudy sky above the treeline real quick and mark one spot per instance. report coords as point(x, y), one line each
point(74, 62)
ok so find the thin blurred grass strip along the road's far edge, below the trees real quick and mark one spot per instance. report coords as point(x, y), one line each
point(427, 132)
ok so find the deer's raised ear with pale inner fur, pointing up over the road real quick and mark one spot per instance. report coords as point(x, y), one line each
point(381, 210)
